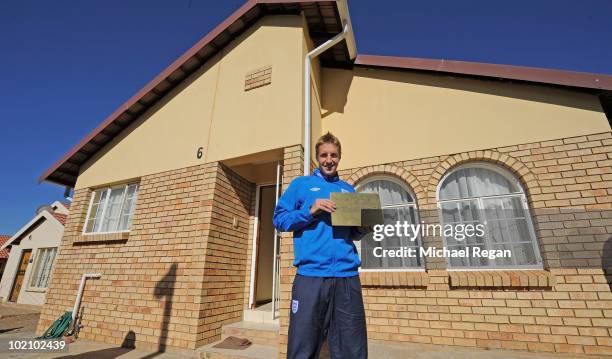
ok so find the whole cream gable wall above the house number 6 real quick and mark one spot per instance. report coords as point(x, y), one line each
point(211, 110)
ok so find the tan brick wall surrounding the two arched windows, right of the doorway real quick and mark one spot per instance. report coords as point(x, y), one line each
point(567, 307)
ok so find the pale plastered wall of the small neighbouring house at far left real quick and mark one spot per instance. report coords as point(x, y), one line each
point(46, 235)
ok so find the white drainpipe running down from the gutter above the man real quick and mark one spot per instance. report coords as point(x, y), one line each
point(346, 34)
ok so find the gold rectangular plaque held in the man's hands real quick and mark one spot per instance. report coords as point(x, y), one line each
point(356, 209)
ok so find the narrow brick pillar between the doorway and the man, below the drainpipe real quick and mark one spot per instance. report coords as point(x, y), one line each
point(293, 166)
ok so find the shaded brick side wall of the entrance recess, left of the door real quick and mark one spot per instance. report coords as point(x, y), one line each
point(225, 250)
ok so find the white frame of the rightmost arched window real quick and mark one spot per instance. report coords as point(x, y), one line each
point(525, 205)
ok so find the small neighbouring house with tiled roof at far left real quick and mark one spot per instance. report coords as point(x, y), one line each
point(31, 255)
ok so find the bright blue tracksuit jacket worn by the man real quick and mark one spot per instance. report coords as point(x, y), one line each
point(320, 249)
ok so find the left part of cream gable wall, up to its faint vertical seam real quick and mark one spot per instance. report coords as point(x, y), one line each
point(166, 137)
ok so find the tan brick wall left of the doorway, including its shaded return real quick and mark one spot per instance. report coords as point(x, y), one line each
point(179, 274)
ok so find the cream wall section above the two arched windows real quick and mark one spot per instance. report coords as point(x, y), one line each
point(383, 116)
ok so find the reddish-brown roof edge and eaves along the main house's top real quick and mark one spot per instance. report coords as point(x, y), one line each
point(64, 172)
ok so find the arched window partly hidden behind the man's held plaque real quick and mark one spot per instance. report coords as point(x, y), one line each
point(398, 204)
